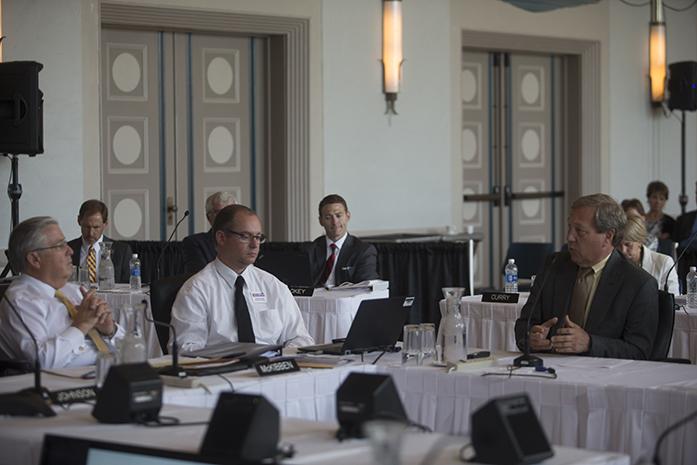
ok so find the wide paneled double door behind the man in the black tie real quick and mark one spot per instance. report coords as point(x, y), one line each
point(182, 118)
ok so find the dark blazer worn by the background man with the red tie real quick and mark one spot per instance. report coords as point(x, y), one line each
point(357, 260)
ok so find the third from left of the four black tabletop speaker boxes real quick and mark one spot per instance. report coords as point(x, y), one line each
point(363, 397)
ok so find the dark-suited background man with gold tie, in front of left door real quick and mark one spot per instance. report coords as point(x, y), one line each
point(93, 219)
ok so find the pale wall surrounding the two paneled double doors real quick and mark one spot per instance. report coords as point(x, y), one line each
point(396, 174)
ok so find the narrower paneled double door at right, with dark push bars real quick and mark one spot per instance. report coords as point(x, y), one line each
point(512, 167)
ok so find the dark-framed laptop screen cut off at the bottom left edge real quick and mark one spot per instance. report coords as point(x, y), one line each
point(63, 450)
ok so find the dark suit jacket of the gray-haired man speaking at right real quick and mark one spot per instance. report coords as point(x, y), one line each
point(623, 315)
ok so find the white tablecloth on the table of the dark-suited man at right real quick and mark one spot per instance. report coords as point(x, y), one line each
point(599, 404)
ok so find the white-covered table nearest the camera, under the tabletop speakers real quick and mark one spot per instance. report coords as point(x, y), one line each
point(21, 440)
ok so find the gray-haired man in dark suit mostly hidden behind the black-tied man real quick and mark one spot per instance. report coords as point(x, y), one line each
point(199, 249)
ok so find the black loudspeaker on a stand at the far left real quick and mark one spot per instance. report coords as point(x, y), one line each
point(21, 108)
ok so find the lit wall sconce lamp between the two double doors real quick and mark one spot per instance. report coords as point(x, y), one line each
point(391, 51)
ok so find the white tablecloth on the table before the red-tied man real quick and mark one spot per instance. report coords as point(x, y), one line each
point(328, 314)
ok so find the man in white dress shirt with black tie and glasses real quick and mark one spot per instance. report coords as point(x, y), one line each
point(230, 300)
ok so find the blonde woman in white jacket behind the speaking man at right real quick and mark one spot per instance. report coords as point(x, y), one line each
point(656, 264)
